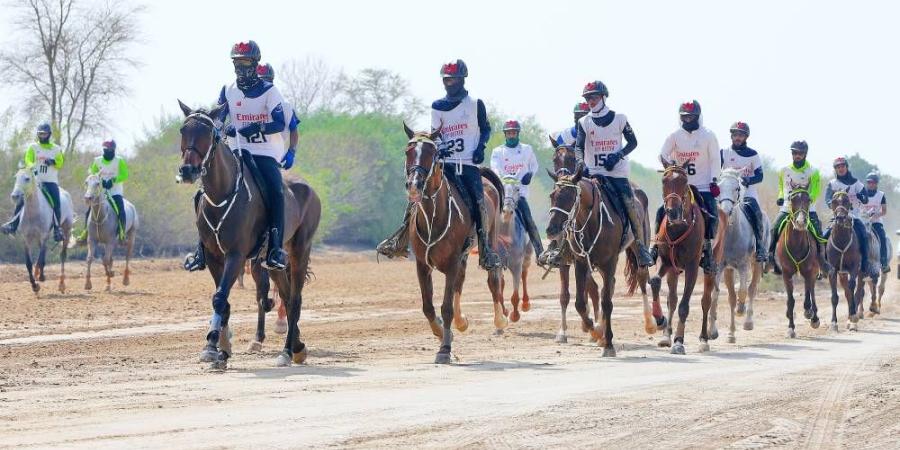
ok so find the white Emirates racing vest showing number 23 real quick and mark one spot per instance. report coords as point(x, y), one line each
point(459, 130)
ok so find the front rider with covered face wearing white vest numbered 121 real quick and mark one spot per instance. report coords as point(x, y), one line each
point(254, 107)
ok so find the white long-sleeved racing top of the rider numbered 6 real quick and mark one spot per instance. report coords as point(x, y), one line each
point(700, 149)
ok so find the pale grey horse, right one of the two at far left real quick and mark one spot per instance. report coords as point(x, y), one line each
point(103, 231)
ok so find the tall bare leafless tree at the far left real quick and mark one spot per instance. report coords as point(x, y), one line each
point(71, 62)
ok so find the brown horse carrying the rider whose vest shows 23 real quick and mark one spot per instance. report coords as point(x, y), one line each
point(442, 233)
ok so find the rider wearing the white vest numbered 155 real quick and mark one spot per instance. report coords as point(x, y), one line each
point(598, 145)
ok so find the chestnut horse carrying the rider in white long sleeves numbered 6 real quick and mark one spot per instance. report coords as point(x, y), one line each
point(680, 244)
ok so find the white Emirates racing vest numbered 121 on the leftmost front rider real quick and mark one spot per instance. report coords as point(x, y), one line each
point(243, 110)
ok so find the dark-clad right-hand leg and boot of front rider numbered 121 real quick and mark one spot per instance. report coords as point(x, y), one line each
point(270, 171)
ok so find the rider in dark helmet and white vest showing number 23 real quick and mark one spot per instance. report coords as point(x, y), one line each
point(465, 130)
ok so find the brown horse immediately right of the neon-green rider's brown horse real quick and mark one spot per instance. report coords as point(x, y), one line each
point(844, 256)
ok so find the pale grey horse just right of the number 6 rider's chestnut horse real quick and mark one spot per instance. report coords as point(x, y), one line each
point(737, 254)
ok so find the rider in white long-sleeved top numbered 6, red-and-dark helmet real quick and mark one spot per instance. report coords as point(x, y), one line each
point(697, 145)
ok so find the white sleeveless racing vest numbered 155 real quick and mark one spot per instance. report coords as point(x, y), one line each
point(599, 142)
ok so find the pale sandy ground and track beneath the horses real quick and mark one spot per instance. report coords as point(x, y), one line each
point(96, 370)
